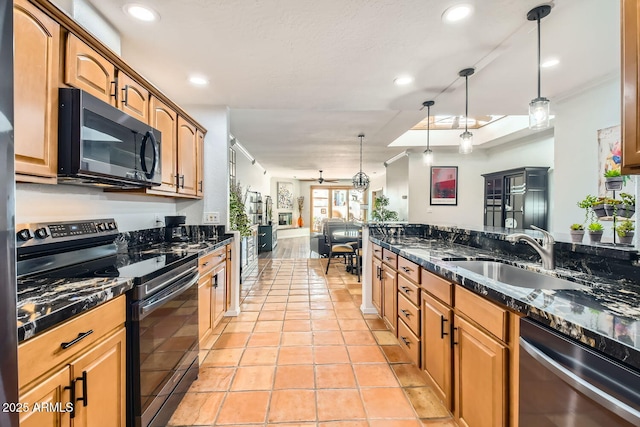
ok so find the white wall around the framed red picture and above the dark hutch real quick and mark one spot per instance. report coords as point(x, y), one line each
point(469, 211)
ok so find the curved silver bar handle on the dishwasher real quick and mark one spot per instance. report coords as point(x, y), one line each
point(599, 396)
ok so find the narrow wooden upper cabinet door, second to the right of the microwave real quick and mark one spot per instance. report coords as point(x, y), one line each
point(187, 155)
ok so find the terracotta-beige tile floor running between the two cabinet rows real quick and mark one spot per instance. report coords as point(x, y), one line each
point(302, 354)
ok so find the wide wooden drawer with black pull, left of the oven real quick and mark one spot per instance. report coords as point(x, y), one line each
point(40, 354)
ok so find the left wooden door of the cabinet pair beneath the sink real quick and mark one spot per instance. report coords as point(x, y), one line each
point(437, 357)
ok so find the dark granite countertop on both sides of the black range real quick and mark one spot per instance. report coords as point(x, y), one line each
point(45, 302)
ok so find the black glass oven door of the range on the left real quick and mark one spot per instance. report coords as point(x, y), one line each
point(163, 349)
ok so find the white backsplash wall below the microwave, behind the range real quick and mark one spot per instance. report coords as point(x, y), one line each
point(43, 203)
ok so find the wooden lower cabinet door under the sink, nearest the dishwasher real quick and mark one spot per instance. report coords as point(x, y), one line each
point(480, 377)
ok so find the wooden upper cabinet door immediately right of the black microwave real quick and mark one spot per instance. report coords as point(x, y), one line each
point(165, 120)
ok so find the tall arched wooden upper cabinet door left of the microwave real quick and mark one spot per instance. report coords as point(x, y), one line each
point(37, 53)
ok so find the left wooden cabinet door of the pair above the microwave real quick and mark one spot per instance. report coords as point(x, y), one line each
point(86, 69)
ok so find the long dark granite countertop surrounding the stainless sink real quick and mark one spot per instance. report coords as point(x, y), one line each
point(605, 315)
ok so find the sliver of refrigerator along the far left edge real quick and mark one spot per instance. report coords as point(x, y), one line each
point(8, 329)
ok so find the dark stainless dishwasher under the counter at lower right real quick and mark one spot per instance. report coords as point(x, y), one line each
point(564, 383)
